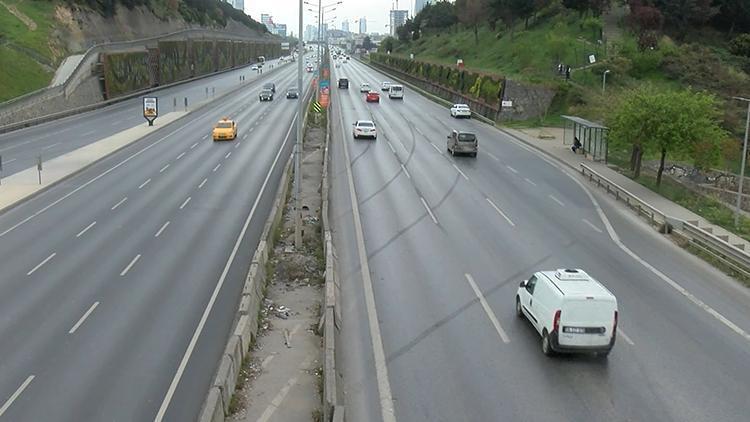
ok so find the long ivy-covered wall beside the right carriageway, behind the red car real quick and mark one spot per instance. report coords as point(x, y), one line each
point(480, 87)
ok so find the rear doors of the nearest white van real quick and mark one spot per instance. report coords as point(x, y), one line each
point(587, 321)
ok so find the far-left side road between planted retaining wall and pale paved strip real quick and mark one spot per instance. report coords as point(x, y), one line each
point(22, 148)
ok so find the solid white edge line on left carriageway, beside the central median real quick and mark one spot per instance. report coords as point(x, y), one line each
point(206, 312)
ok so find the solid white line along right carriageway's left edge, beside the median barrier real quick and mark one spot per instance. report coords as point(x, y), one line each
point(381, 368)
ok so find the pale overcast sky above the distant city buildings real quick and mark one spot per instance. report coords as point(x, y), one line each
point(286, 11)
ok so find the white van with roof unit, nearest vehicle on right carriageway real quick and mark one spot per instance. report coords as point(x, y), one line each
point(570, 310)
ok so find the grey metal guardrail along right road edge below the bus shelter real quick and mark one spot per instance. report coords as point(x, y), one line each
point(732, 256)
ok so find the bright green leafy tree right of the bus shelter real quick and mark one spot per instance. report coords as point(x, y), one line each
point(682, 124)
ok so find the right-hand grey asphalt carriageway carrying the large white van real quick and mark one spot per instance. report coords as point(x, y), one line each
point(429, 325)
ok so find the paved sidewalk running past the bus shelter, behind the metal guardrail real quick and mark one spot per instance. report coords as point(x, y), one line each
point(551, 143)
